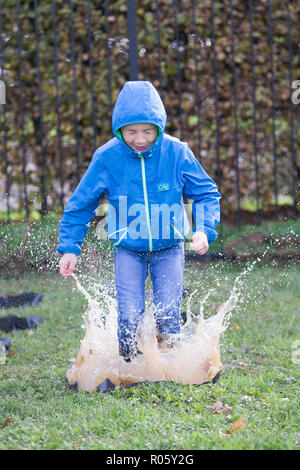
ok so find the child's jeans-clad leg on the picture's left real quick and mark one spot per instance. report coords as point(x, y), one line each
point(131, 273)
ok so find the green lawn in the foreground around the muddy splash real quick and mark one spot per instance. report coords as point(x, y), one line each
point(260, 381)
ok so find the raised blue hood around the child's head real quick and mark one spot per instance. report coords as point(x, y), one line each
point(138, 102)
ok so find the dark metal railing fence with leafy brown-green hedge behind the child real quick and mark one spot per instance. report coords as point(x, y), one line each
point(227, 73)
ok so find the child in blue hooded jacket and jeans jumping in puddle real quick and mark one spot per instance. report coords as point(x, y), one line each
point(146, 172)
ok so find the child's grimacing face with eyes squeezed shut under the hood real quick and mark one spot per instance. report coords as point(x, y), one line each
point(139, 137)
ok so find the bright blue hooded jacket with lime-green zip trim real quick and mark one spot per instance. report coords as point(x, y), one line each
point(145, 190)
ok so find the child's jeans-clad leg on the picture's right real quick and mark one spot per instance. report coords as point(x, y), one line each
point(166, 268)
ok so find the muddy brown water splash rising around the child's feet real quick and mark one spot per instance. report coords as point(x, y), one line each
point(196, 358)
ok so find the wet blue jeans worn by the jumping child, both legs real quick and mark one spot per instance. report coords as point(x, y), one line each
point(131, 269)
